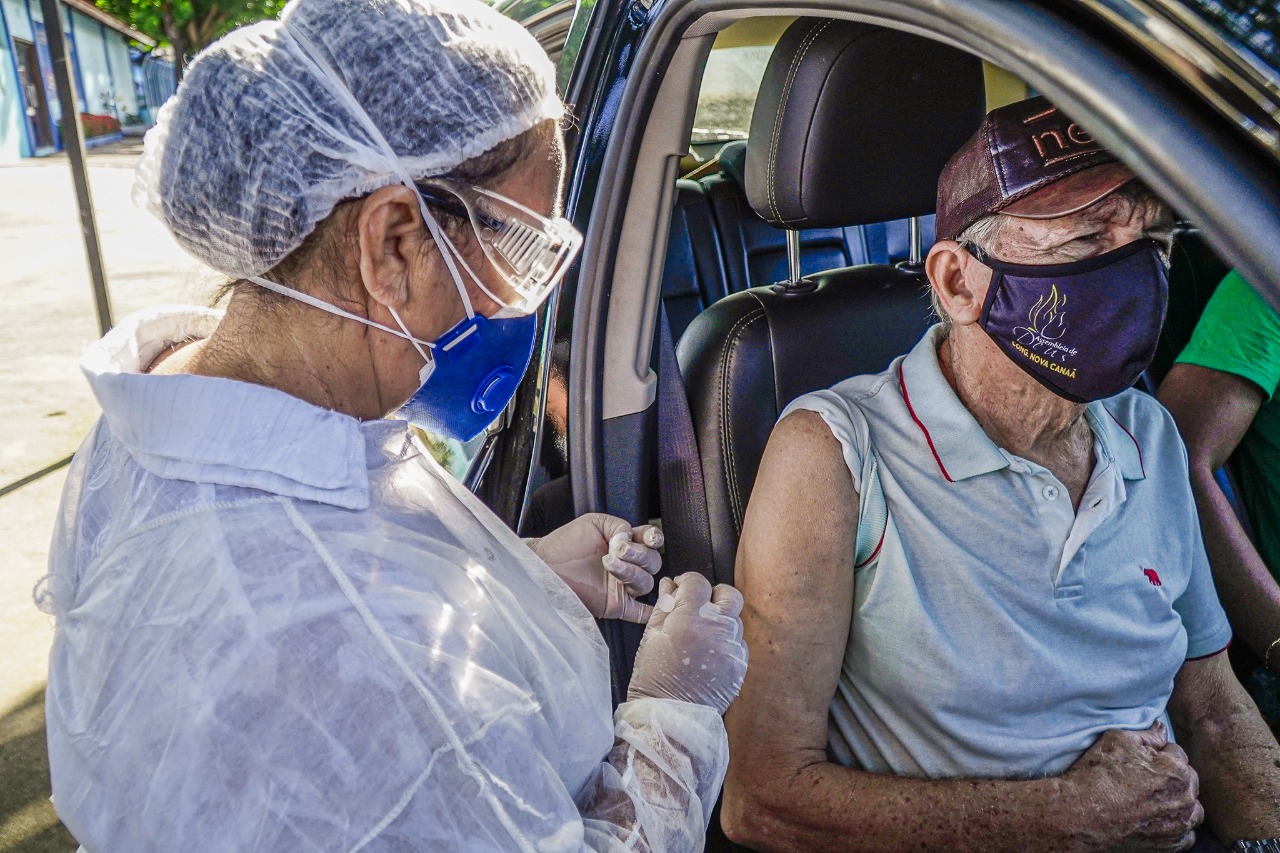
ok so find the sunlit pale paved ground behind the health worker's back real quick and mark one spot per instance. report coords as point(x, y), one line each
point(47, 409)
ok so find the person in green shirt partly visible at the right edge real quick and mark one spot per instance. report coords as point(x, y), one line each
point(1222, 393)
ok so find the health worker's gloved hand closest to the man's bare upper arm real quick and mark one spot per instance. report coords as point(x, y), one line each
point(693, 649)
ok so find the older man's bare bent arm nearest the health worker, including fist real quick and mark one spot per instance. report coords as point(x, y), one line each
point(1132, 791)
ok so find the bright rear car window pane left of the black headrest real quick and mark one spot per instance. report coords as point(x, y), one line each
point(728, 95)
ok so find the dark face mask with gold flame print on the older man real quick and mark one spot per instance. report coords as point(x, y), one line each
point(1086, 330)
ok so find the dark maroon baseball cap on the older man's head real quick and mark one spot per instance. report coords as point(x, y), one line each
point(1030, 161)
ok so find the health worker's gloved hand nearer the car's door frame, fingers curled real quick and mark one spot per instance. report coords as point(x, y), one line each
point(606, 562)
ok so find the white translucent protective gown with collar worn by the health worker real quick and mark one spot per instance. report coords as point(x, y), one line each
point(284, 630)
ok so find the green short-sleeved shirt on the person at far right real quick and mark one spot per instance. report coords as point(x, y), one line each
point(1240, 334)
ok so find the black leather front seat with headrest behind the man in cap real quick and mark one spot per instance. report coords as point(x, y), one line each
point(852, 126)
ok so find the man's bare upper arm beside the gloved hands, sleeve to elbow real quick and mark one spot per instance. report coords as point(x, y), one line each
point(796, 571)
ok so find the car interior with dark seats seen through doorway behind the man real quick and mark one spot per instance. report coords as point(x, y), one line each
point(825, 158)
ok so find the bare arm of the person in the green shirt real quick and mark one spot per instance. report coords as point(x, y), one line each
point(1214, 412)
